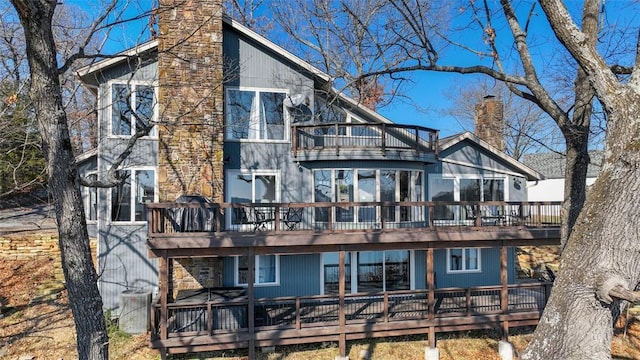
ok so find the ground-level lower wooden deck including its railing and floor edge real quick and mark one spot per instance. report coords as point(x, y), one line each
point(214, 325)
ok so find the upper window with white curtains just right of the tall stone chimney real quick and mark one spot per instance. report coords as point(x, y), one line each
point(252, 114)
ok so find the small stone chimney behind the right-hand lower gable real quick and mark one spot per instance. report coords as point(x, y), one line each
point(489, 121)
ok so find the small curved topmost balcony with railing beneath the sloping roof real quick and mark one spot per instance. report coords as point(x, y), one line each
point(360, 141)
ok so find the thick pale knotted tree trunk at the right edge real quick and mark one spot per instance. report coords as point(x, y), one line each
point(603, 251)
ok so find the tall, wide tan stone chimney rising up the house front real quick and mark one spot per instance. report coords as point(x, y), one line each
point(190, 80)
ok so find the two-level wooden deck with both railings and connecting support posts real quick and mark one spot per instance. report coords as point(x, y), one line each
point(210, 230)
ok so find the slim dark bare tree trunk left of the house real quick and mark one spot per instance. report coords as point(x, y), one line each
point(64, 183)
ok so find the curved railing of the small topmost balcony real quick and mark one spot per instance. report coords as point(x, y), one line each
point(383, 137)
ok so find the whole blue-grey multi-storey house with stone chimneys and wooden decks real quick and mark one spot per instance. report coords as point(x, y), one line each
point(260, 206)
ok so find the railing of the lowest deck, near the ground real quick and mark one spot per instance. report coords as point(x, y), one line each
point(213, 317)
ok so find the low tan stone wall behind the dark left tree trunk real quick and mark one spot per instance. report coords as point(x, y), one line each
point(31, 245)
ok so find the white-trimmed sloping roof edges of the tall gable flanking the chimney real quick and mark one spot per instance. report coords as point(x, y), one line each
point(318, 74)
